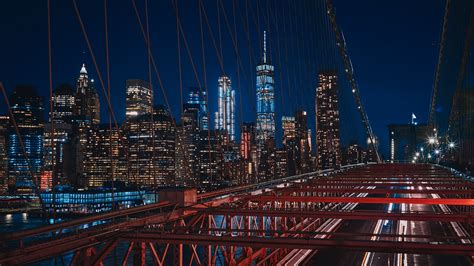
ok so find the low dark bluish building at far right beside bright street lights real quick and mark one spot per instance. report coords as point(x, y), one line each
point(406, 139)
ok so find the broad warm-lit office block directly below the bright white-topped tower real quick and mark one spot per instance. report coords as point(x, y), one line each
point(151, 149)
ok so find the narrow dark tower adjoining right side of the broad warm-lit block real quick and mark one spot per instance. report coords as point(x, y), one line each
point(187, 135)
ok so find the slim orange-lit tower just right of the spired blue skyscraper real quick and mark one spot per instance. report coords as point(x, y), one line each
point(290, 145)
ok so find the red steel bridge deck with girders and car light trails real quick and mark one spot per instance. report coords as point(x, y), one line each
point(364, 214)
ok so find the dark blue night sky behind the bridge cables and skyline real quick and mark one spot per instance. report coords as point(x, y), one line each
point(393, 46)
